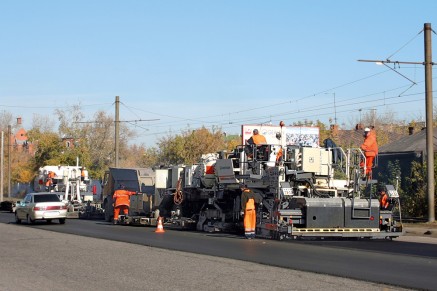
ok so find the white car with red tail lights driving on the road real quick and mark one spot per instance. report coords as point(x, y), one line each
point(41, 206)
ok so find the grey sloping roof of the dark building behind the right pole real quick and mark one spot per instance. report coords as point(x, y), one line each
point(411, 143)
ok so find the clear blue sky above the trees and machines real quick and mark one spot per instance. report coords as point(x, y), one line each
point(213, 63)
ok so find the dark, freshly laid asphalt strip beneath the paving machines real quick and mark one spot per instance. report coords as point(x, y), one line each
point(393, 263)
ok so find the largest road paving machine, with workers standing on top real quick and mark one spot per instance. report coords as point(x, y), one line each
point(296, 186)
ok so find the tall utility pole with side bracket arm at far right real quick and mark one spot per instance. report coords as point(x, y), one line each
point(429, 115)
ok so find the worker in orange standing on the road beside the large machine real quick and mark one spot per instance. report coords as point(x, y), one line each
point(248, 200)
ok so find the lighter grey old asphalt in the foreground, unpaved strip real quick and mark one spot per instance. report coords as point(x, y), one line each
point(35, 259)
